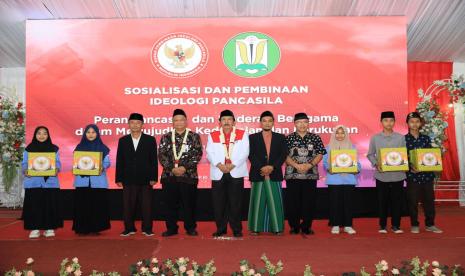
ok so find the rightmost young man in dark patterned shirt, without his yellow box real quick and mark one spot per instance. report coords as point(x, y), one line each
point(420, 186)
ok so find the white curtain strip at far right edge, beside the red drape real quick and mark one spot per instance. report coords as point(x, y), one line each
point(459, 113)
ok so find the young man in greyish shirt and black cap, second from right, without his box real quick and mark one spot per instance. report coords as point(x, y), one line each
point(389, 185)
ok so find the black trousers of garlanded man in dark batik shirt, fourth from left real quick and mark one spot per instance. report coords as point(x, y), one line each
point(179, 195)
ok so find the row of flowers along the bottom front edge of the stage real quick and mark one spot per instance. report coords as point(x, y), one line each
point(183, 267)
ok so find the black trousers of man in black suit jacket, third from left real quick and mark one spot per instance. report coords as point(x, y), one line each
point(132, 194)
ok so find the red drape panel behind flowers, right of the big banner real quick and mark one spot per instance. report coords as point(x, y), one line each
point(422, 75)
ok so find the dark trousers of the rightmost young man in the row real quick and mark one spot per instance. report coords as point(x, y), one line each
point(424, 193)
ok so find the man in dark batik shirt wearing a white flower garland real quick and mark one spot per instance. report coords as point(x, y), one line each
point(179, 153)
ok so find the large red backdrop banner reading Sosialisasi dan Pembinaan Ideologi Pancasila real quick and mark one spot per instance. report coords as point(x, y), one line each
point(340, 70)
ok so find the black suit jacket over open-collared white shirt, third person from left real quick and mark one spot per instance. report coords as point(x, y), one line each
point(137, 167)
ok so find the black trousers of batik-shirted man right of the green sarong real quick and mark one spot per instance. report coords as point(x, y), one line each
point(300, 202)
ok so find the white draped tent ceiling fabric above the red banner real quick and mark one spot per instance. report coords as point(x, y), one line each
point(434, 31)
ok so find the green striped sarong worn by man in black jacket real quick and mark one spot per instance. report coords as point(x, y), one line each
point(266, 212)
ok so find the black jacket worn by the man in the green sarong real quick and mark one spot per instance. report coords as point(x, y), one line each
point(258, 157)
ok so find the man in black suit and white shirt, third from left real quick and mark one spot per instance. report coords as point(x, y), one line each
point(137, 172)
